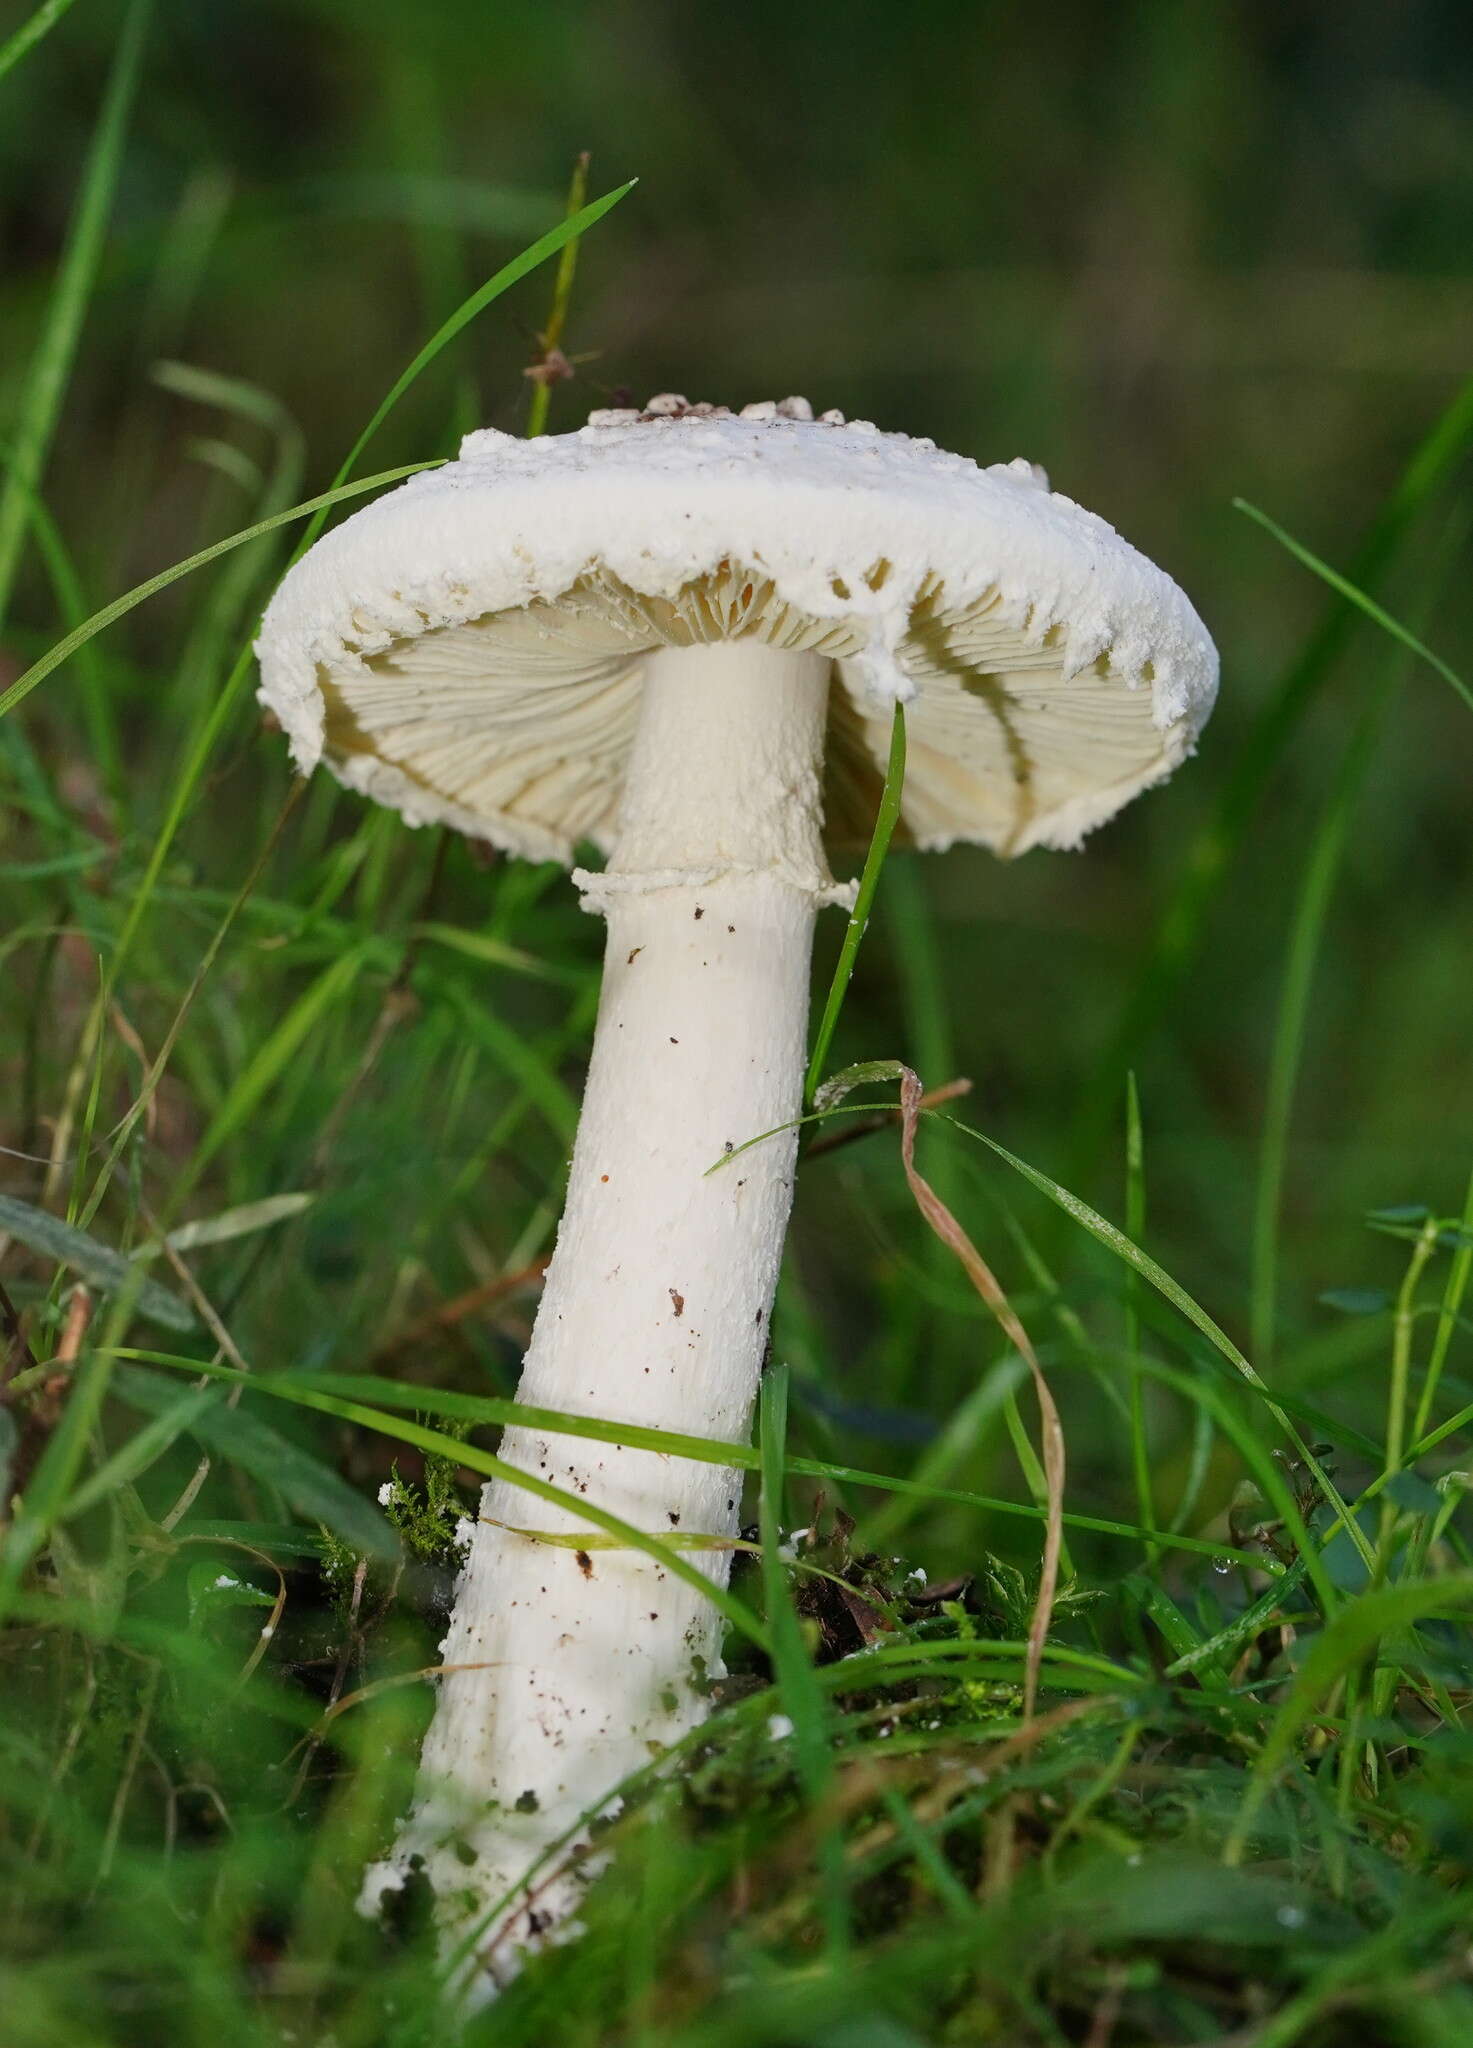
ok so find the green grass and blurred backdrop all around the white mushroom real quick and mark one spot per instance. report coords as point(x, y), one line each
point(1177, 253)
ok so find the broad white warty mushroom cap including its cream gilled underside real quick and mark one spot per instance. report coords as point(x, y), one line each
point(468, 650)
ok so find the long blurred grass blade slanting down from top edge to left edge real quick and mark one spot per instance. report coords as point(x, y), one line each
point(56, 349)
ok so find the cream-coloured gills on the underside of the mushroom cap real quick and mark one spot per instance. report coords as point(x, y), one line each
point(525, 718)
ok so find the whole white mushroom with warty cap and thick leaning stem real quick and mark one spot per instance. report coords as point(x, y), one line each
point(681, 636)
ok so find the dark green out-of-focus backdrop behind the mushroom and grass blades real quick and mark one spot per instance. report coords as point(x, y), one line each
point(1173, 253)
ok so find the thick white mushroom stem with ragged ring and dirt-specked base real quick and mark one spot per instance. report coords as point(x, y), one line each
point(585, 1664)
